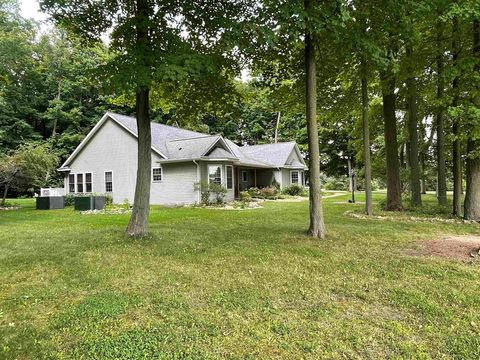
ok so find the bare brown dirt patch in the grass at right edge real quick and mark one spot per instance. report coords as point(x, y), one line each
point(458, 247)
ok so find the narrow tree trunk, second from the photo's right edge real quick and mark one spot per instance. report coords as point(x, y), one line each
point(456, 148)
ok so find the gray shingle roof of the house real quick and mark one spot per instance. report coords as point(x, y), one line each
point(178, 144)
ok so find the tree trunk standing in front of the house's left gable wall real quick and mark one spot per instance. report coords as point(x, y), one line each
point(138, 225)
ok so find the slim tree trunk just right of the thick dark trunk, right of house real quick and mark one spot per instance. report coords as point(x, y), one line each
point(416, 199)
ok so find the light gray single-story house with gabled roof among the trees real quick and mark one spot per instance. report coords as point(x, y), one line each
point(106, 162)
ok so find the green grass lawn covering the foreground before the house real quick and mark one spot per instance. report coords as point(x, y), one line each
point(231, 284)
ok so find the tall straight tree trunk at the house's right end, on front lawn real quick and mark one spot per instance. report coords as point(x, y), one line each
point(317, 226)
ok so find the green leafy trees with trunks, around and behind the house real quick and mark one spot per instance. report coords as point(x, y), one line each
point(392, 86)
